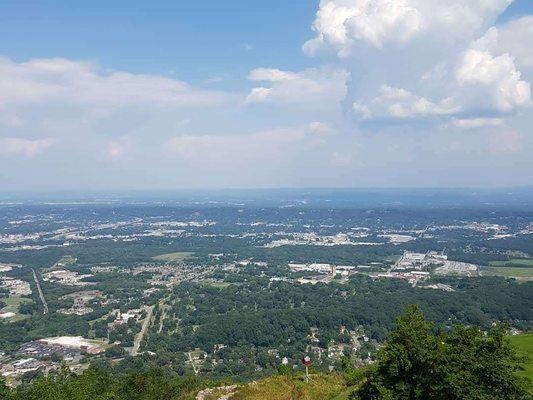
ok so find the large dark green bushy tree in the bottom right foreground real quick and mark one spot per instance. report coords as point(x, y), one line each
point(418, 363)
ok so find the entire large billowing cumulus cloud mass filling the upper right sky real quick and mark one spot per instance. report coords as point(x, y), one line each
point(416, 59)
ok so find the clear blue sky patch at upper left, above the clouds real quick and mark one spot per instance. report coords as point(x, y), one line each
point(195, 40)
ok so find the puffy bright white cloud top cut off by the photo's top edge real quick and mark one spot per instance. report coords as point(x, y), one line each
point(340, 24)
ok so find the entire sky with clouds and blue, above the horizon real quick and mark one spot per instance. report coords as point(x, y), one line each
point(256, 94)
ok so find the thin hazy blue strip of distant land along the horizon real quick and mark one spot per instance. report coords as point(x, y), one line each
point(420, 198)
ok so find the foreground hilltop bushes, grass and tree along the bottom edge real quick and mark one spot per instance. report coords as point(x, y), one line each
point(418, 362)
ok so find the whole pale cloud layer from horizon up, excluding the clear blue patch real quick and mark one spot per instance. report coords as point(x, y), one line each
point(394, 93)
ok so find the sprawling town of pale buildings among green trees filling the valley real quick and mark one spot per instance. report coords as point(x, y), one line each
point(115, 287)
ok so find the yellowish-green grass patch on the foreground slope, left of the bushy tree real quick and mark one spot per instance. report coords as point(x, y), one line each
point(320, 387)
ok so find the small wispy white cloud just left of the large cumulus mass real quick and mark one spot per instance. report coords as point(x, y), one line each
point(323, 87)
